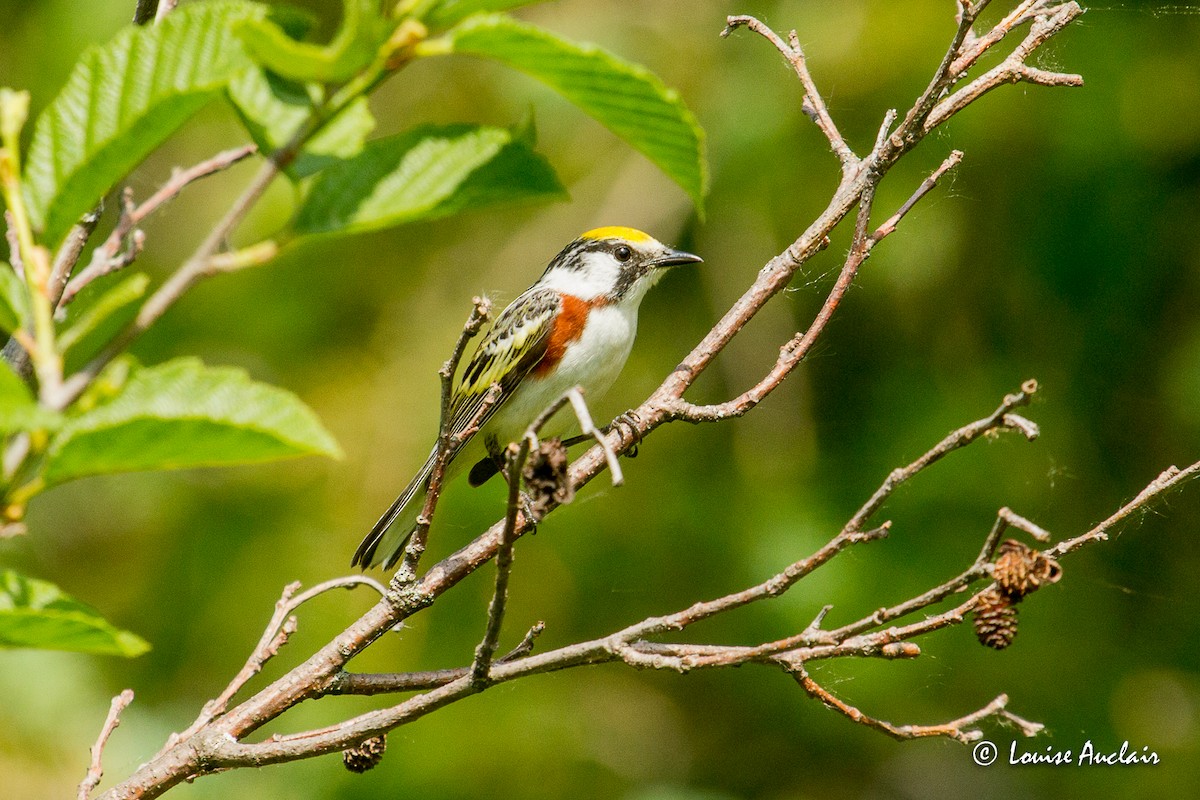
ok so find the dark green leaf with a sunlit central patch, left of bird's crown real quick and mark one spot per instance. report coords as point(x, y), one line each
point(428, 173)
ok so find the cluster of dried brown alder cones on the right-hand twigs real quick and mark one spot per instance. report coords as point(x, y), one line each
point(1018, 572)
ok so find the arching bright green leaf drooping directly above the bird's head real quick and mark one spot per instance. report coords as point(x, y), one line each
point(627, 99)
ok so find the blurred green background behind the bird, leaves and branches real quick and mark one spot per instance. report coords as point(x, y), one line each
point(1064, 249)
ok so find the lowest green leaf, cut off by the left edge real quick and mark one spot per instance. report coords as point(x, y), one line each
point(39, 615)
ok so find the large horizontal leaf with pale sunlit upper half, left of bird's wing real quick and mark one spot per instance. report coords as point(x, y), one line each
point(182, 414)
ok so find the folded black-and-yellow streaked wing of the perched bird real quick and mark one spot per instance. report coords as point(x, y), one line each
point(515, 345)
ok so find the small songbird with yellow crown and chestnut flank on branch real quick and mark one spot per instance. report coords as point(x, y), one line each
point(575, 327)
